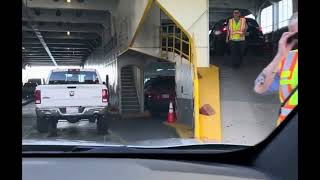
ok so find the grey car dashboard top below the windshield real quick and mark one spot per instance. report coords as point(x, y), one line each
point(133, 169)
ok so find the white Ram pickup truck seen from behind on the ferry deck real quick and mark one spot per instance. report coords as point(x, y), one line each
point(72, 95)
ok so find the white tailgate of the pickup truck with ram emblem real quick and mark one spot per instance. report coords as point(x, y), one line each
point(71, 95)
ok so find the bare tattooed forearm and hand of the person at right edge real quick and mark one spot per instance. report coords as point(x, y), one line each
point(266, 77)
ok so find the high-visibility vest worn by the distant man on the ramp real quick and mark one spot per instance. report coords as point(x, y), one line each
point(234, 26)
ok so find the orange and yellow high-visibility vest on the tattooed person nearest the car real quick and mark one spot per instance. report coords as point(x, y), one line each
point(288, 81)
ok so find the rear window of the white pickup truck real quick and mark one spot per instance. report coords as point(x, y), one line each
point(77, 77)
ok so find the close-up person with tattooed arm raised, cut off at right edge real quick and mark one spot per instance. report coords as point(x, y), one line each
point(282, 73)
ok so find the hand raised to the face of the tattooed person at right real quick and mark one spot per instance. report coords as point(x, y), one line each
point(283, 47)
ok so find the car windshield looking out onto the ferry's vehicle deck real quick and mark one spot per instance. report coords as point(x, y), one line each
point(107, 74)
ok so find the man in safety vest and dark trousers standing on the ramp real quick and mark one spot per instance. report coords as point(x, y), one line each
point(237, 28)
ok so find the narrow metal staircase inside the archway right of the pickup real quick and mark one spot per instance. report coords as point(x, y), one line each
point(129, 98)
